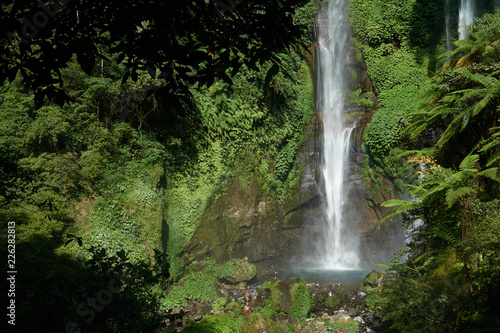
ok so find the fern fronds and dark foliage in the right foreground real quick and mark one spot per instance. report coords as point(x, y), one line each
point(446, 282)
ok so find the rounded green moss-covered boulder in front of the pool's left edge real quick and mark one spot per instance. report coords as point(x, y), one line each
point(292, 297)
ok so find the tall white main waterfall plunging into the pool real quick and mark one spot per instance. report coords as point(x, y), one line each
point(340, 251)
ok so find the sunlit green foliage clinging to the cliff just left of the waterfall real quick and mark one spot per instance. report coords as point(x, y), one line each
point(251, 132)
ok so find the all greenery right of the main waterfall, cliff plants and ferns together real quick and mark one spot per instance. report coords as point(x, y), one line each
point(438, 113)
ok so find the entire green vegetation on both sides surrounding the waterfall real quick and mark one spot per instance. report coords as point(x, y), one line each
point(121, 122)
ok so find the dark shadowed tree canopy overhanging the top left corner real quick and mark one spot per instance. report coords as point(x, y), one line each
point(207, 55)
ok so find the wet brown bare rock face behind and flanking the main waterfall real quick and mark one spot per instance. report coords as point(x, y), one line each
point(243, 223)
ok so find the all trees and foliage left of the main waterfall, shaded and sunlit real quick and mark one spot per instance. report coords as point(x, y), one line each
point(107, 164)
